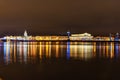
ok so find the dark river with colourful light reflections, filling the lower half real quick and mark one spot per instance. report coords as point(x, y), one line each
point(59, 60)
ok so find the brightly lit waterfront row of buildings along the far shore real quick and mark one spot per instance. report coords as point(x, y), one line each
point(69, 36)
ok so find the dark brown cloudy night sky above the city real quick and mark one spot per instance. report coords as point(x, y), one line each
point(57, 16)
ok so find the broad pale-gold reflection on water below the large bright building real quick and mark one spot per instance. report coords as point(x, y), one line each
point(81, 51)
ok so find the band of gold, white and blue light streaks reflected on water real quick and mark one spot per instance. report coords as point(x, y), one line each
point(30, 52)
